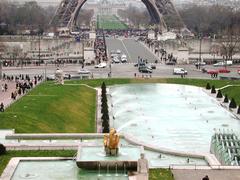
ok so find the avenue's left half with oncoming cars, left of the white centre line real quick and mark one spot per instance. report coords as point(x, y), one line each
point(114, 45)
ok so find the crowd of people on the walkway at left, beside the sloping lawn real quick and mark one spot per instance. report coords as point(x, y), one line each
point(23, 83)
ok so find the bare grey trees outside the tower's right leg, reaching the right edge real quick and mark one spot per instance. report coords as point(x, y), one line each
point(210, 20)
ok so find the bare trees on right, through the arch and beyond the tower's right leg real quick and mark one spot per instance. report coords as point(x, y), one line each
point(207, 20)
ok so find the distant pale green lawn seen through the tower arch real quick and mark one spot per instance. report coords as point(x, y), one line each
point(110, 22)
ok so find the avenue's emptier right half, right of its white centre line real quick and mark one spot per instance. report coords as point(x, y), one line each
point(136, 50)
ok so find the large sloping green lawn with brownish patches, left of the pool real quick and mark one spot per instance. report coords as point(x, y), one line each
point(51, 108)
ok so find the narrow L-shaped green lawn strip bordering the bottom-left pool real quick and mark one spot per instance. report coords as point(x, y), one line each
point(4, 159)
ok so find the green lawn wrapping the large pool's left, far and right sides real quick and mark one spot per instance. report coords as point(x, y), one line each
point(59, 109)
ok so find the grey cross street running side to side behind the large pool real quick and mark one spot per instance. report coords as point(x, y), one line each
point(118, 70)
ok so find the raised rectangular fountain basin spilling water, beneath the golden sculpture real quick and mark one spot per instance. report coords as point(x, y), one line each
point(94, 157)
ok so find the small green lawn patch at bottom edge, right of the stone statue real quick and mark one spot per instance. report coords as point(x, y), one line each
point(160, 174)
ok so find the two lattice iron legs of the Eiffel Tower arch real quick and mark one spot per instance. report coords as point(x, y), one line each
point(68, 10)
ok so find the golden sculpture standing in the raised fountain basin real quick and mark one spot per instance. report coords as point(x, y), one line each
point(111, 142)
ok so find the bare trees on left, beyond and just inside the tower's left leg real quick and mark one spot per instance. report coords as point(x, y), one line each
point(31, 16)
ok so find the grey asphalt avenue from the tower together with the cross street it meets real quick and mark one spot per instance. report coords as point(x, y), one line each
point(132, 49)
